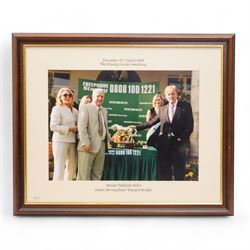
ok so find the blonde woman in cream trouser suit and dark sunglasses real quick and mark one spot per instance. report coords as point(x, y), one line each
point(63, 123)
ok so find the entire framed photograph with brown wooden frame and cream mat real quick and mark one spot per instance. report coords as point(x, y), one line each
point(123, 124)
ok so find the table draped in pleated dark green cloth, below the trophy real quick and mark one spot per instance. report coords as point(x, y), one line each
point(130, 164)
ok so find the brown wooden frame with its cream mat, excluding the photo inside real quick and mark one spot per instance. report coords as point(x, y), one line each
point(211, 55)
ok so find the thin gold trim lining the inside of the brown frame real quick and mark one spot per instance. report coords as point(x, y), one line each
point(119, 46)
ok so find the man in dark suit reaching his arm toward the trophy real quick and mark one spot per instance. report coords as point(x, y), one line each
point(176, 125)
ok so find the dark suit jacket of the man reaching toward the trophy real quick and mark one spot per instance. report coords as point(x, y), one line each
point(181, 126)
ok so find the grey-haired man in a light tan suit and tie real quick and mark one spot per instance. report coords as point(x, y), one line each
point(93, 131)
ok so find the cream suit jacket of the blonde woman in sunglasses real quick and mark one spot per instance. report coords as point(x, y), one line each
point(61, 119)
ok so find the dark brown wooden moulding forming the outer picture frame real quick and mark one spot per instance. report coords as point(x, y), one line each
point(227, 40)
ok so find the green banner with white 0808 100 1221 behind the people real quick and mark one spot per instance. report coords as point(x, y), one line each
point(127, 102)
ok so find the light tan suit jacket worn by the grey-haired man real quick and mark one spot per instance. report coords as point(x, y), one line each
point(88, 127)
